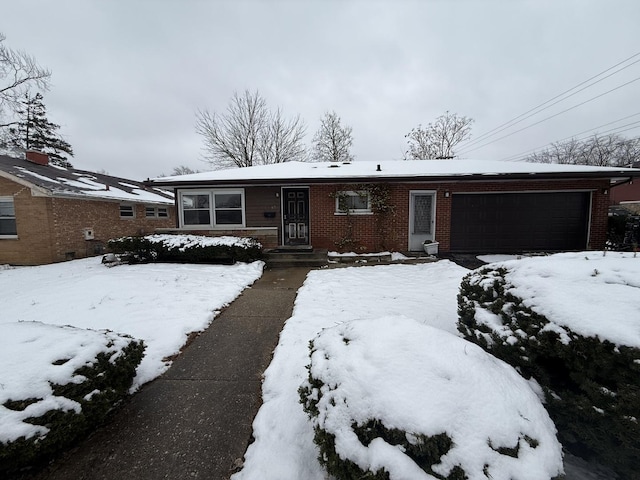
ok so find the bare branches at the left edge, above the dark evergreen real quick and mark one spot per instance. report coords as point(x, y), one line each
point(18, 72)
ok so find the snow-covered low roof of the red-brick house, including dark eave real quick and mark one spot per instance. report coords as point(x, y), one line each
point(394, 170)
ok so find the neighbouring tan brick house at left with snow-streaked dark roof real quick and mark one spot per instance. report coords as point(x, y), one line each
point(50, 214)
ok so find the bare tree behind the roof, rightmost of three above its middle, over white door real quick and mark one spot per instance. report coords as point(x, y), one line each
point(438, 139)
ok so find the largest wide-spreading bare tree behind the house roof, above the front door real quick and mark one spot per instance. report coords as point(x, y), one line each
point(249, 134)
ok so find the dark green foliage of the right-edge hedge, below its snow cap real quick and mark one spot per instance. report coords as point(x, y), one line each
point(591, 386)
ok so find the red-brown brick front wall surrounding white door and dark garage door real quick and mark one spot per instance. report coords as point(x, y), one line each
point(327, 228)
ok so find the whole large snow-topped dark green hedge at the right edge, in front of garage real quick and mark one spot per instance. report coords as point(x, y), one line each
point(572, 322)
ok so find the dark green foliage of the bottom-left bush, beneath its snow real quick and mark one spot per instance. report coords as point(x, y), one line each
point(73, 409)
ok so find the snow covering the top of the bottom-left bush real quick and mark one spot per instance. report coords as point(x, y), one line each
point(35, 356)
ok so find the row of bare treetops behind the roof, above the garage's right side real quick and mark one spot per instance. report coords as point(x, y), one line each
point(598, 150)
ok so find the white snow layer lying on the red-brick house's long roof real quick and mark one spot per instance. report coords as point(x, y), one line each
point(389, 169)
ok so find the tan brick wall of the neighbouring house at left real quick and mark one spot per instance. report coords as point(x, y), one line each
point(52, 229)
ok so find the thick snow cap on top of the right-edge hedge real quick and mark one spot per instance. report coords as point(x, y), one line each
point(580, 291)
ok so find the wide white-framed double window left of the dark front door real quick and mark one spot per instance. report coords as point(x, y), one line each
point(214, 208)
